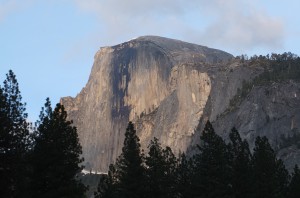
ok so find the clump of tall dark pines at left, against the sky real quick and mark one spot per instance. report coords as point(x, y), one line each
point(42, 161)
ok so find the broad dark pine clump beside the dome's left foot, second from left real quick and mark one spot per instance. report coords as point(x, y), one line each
point(56, 156)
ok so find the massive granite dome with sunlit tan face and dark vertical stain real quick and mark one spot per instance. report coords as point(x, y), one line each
point(160, 84)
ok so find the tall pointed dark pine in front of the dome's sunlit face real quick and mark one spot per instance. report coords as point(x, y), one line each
point(129, 167)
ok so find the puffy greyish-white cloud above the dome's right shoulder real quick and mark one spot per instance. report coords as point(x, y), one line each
point(243, 25)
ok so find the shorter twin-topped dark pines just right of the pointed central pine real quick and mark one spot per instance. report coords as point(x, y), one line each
point(161, 169)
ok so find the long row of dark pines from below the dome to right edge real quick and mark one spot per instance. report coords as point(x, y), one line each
point(219, 169)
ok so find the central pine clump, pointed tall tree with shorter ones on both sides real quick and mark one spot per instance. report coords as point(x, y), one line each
point(130, 178)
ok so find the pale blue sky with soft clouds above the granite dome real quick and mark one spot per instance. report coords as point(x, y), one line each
point(50, 44)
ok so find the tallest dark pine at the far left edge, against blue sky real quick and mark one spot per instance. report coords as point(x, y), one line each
point(14, 133)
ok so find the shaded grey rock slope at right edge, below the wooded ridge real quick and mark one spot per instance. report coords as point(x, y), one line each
point(272, 111)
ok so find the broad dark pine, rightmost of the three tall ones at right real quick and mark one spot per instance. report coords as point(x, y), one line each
point(270, 175)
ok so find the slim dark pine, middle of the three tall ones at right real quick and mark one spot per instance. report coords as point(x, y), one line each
point(240, 161)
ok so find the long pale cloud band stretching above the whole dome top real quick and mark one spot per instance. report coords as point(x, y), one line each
point(237, 25)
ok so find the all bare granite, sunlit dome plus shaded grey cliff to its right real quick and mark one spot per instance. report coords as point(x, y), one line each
point(166, 87)
